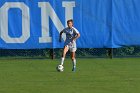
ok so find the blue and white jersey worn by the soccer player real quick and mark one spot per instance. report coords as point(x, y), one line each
point(70, 34)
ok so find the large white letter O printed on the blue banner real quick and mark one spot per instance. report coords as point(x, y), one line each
point(4, 22)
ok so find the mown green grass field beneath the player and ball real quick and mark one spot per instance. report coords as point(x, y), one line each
point(92, 76)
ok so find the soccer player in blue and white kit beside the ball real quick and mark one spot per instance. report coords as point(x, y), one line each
point(72, 34)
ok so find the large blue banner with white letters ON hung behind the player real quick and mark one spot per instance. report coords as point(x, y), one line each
point(31, 24)
